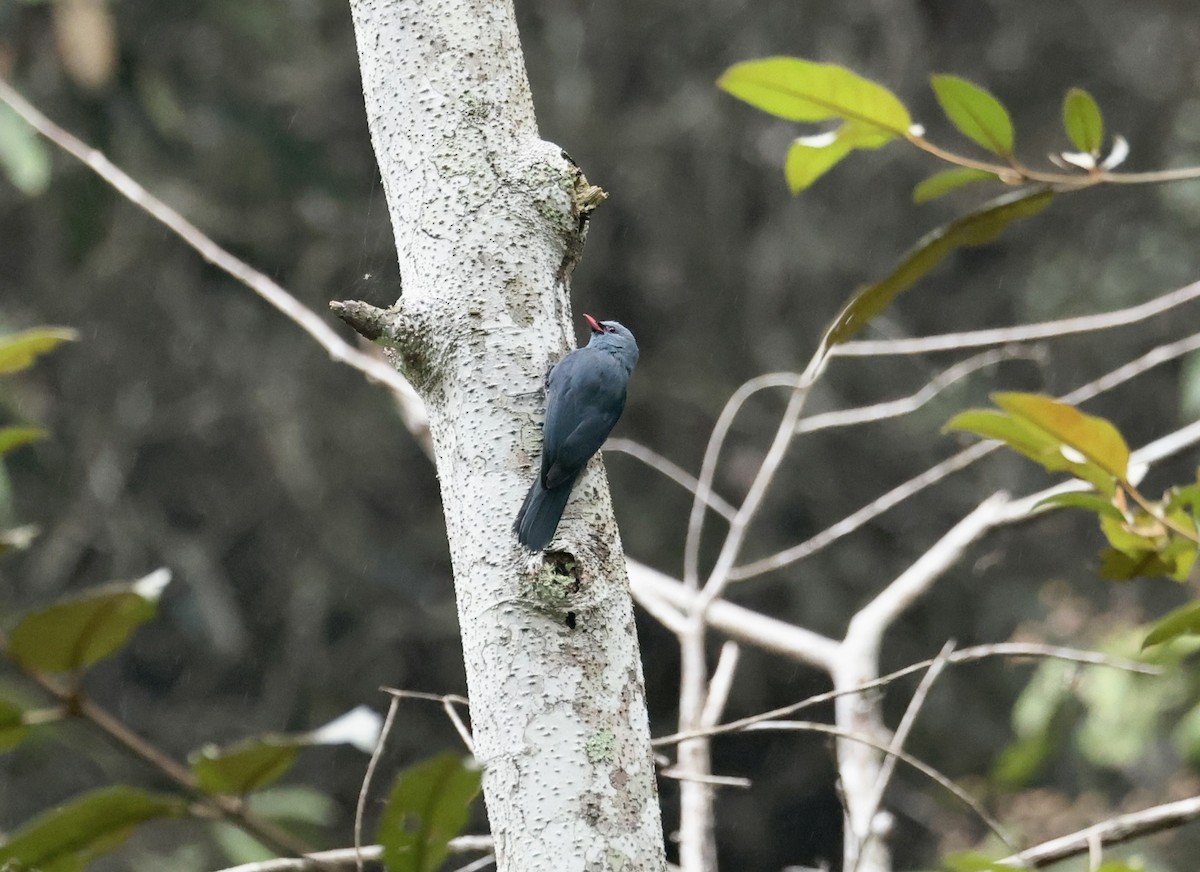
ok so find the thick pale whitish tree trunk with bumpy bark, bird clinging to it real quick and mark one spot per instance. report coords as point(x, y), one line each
point(489, 222)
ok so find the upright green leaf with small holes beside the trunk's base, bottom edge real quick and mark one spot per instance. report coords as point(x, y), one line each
point(429, 807)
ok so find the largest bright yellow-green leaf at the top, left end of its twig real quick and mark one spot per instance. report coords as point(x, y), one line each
point(800, 91)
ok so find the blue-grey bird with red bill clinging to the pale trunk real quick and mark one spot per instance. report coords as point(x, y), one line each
point(585, 396)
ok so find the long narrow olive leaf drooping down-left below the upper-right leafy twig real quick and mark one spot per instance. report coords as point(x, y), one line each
point(973, 230)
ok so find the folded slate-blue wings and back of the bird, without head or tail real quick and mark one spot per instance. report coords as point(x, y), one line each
point(584, 402)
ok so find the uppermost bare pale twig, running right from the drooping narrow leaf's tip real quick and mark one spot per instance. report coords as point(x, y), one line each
point(1025, 333)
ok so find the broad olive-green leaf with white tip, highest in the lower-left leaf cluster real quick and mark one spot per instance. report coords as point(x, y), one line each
point(80, 632)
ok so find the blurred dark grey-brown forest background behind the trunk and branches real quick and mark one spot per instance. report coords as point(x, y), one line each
point(194, 428)
